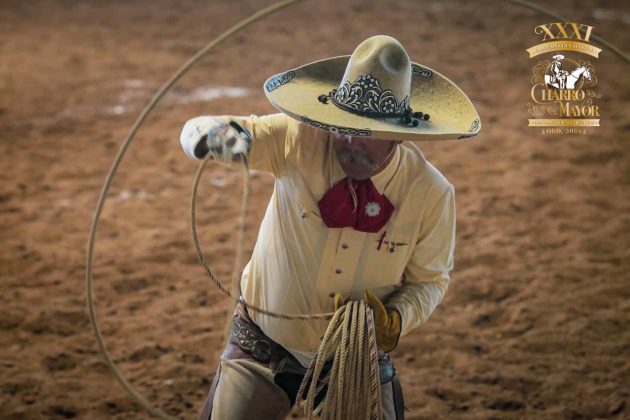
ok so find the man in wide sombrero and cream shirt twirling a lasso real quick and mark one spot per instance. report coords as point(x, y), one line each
point(357, 212)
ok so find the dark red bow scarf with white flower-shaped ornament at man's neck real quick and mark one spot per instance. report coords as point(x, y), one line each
point(355, 204)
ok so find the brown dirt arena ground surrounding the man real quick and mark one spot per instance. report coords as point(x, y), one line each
point(536, 323)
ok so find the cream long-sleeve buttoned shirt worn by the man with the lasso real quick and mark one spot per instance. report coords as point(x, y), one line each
point(299, 263)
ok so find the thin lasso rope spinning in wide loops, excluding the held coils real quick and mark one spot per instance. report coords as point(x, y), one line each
point(136, 126)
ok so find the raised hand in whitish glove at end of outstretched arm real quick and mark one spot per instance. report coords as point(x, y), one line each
point(225, 142)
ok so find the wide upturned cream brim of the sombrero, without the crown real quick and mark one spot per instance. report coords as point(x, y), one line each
point(296, 92)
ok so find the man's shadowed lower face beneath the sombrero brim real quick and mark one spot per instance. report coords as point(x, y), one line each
point(362, 157)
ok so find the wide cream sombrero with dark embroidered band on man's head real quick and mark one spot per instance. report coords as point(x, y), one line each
point(378, 92)
